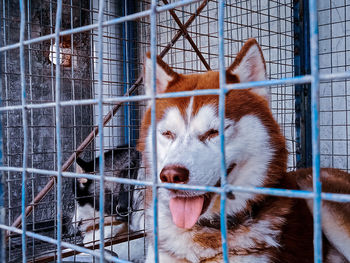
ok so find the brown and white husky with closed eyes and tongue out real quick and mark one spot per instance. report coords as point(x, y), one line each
point(261, 228)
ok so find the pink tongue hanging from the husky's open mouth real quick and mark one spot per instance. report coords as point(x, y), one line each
point(186, 210)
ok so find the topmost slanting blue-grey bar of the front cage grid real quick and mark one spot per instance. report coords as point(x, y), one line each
point(106, 23)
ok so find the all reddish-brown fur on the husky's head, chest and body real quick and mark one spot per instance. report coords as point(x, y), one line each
point(291, 216)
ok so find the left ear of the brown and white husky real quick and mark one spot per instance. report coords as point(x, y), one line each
point(164, 75)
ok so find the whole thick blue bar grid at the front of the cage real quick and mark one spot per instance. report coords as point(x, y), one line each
point(313, 78)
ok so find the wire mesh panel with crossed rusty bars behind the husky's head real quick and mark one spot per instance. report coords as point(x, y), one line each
point(270, 22)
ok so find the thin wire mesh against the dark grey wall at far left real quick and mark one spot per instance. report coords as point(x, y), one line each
point(40, 88)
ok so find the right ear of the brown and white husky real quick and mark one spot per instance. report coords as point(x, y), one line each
point(249, 65)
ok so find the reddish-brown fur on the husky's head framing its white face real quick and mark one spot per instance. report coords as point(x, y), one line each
point(238, 104)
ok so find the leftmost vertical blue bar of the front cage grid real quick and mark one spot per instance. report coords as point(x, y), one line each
point(25, 131)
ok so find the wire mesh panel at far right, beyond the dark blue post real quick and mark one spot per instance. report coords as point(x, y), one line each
point(334, 58)
